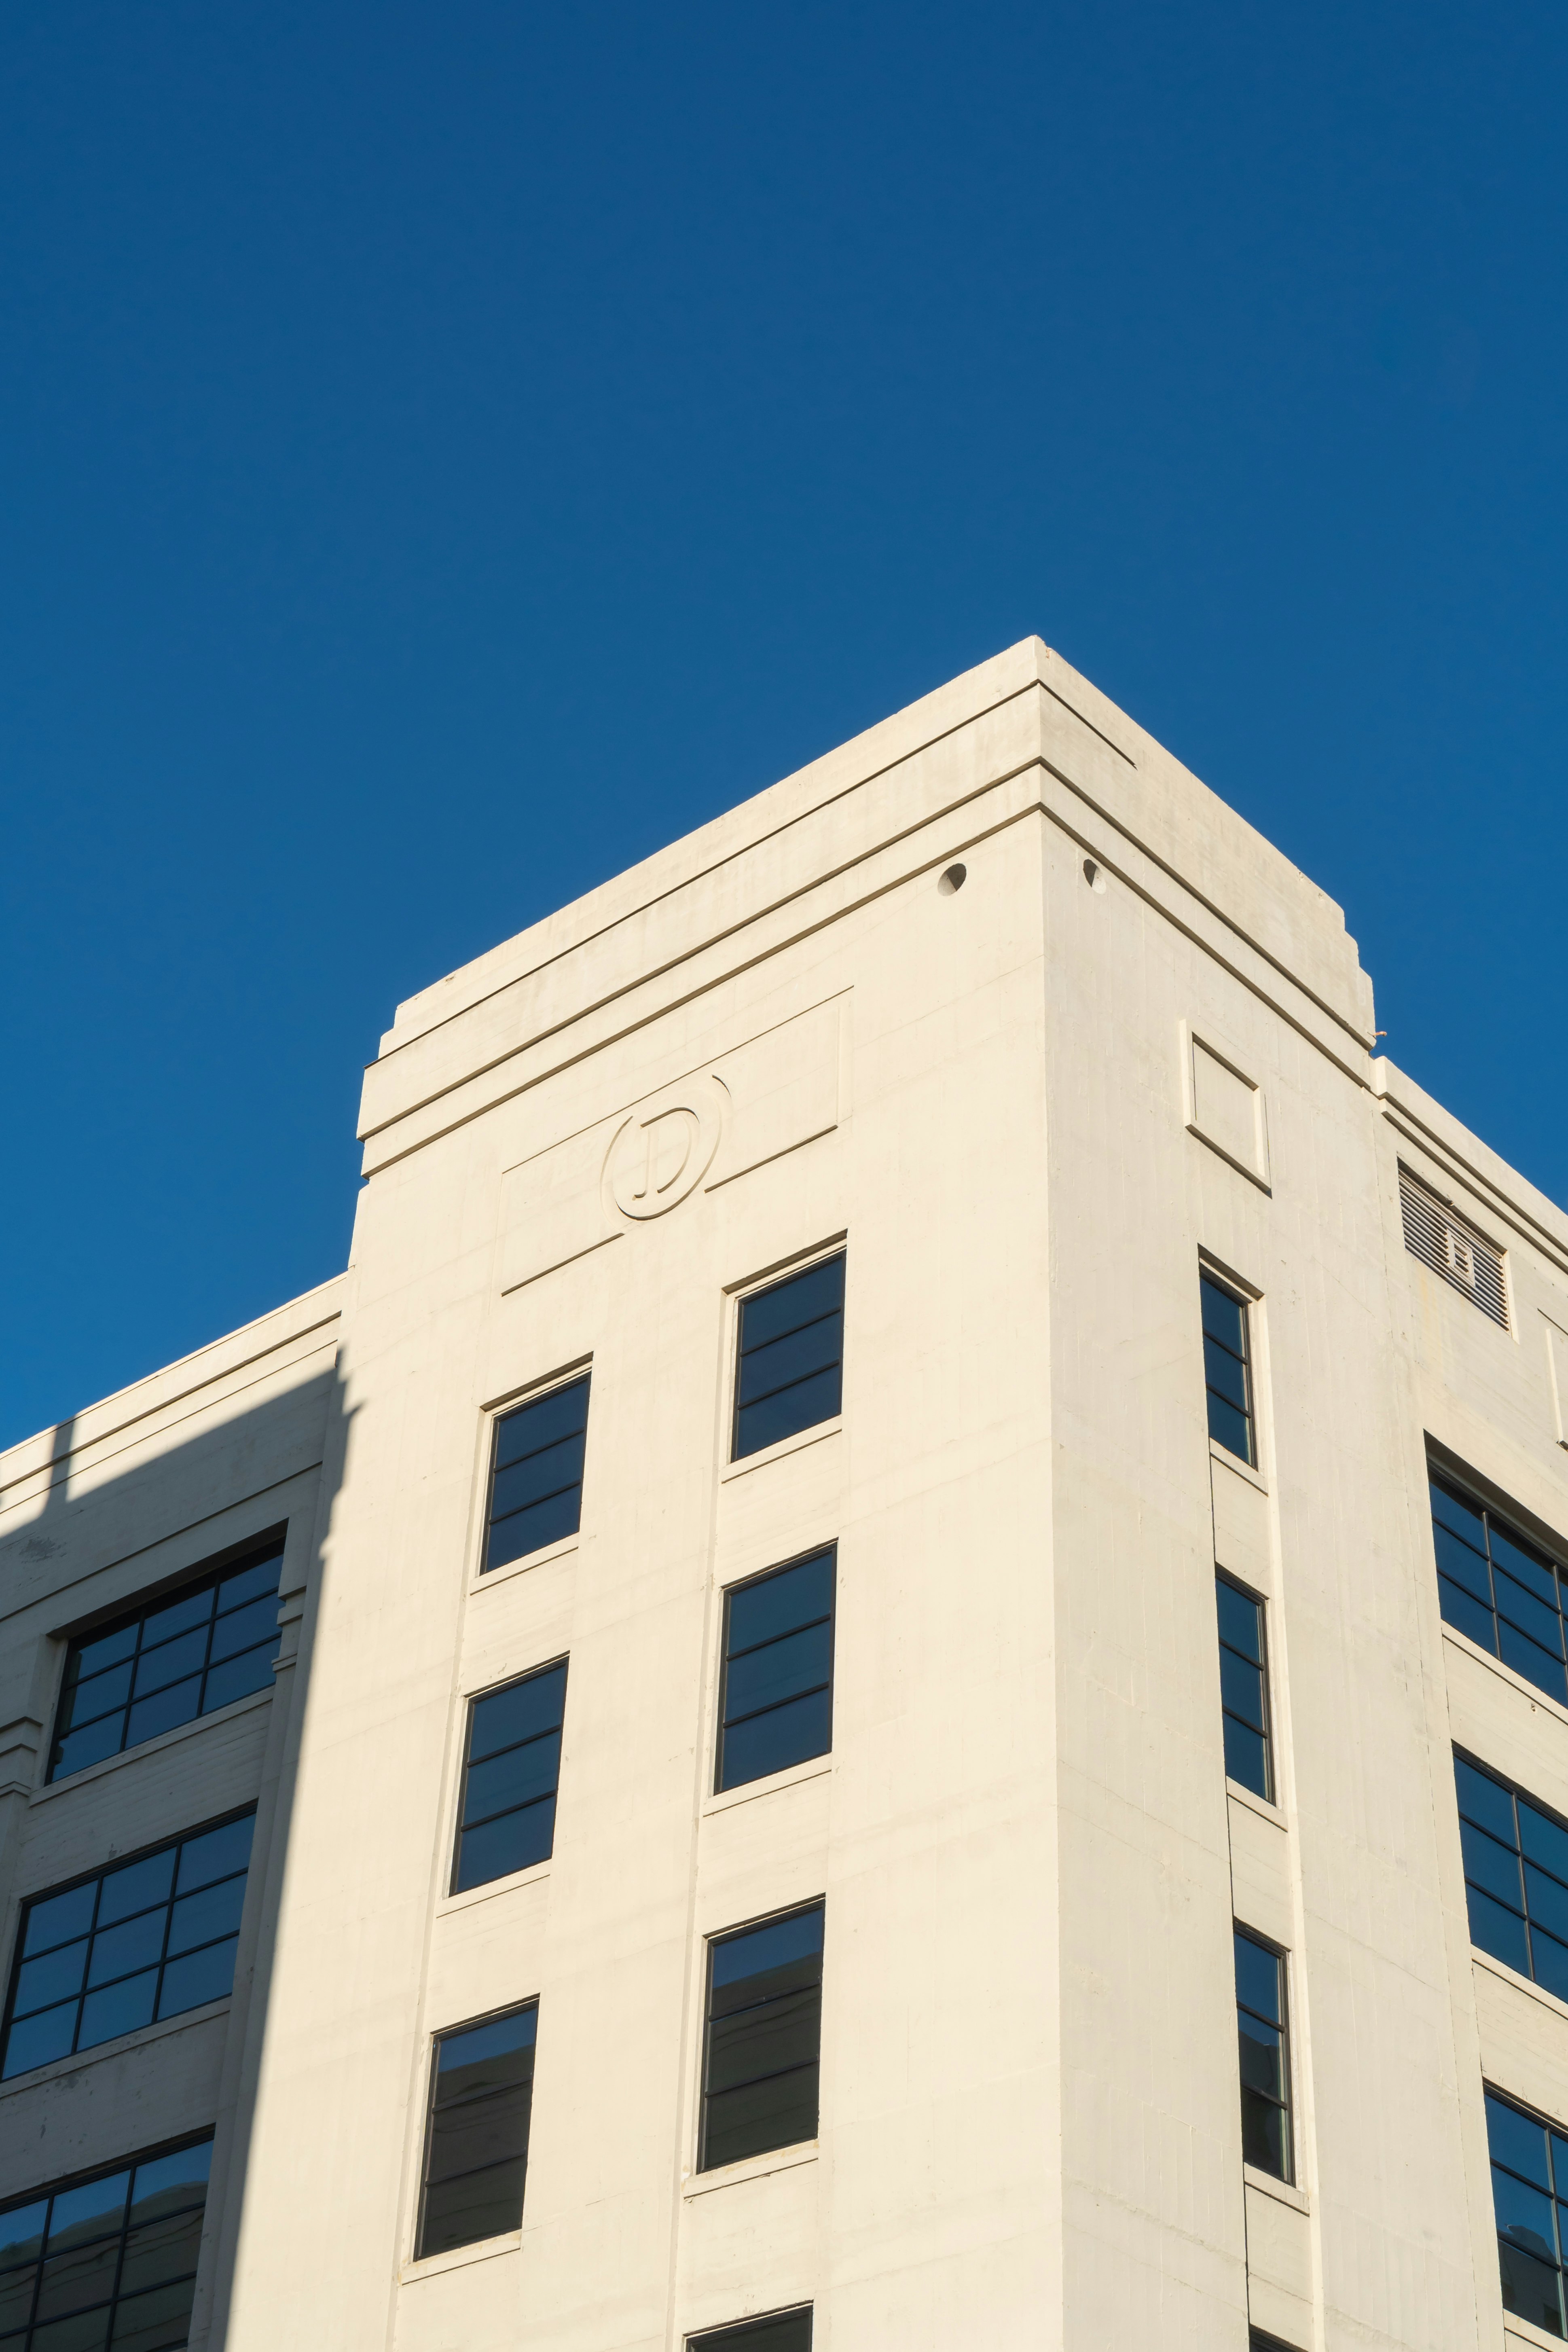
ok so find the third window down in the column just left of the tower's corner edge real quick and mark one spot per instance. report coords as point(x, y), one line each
point(763, 2043)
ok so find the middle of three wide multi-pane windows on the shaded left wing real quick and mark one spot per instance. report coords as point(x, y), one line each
point(142, 1942)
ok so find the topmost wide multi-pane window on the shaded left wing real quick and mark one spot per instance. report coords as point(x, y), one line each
point(177, 1659)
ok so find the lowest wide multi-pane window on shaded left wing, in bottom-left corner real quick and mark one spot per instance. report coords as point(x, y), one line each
point(107, 2257)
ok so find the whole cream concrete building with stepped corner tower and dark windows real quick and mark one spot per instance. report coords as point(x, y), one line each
point(960, 1182)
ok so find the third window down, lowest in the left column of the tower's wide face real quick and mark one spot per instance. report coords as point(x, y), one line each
point(478, 2141)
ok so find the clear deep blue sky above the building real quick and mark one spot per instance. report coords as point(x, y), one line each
point(450, 453)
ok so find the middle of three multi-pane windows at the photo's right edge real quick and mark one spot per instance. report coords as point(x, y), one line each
point(1515, 1876)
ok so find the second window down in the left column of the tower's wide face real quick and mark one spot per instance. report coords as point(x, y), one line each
point(509, 1779)
